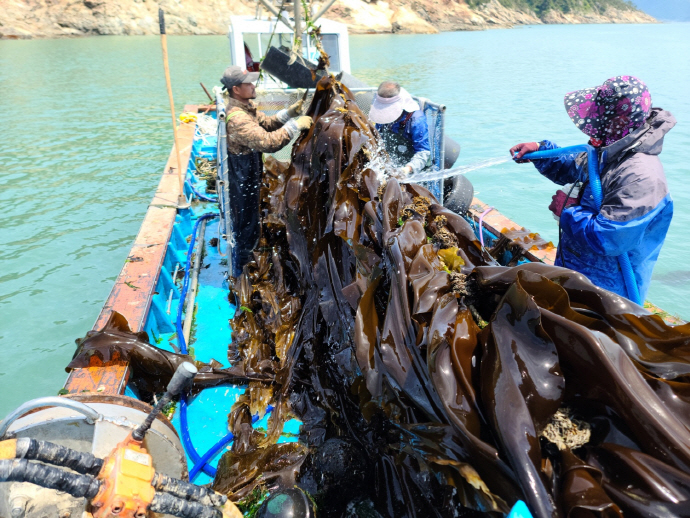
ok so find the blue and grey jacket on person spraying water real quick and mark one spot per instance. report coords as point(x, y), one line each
point(636, 210)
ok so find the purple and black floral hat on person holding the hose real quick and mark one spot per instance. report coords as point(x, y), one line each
point(609, 112)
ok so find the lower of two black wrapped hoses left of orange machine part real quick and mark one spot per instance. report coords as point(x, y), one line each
point(79, 486)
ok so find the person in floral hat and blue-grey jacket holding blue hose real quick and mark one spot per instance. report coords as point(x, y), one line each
point(628, 134)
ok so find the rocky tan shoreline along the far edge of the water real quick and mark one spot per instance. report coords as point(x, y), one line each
point(65, 18)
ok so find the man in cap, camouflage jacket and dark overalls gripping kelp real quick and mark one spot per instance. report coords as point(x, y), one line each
point(251, 133)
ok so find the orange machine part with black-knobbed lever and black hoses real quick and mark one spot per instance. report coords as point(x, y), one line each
point(124, 483)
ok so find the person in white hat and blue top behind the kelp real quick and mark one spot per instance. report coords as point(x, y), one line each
point(403, 128)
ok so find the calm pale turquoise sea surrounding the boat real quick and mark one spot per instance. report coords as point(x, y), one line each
point(85, 133)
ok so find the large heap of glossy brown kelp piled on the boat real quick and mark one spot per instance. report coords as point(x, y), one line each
point(429, 381)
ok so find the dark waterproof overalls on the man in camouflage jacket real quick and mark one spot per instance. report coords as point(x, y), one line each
point(244, 189)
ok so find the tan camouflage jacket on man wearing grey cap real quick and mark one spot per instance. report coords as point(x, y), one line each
point(251, 130)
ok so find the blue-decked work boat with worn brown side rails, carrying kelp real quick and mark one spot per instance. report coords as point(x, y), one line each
point(173, 292)
